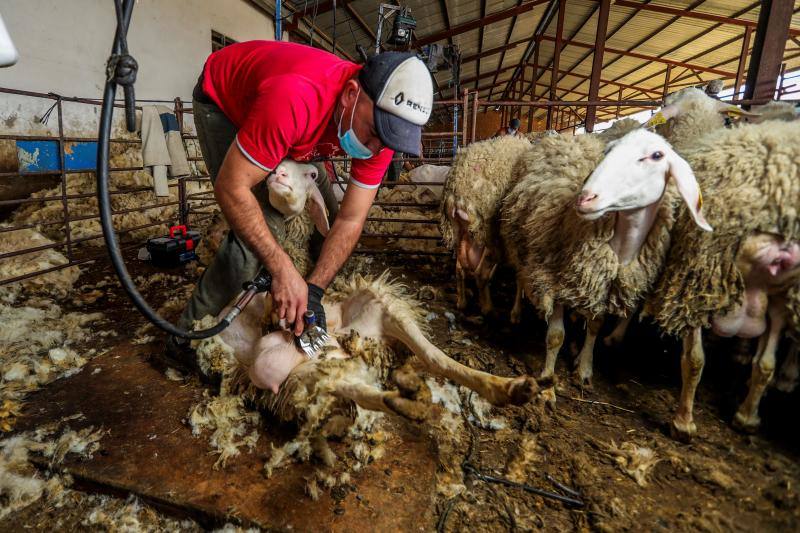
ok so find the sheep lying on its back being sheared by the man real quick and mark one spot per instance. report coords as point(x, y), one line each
point(365, 319)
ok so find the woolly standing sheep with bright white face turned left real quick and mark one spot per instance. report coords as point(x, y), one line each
point(568, 252)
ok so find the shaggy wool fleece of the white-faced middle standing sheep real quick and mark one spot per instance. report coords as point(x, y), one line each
point(561, 257)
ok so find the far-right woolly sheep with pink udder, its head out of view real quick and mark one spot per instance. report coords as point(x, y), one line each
point(742, 279)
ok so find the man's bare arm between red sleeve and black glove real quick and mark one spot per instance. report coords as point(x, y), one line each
point(344, 234)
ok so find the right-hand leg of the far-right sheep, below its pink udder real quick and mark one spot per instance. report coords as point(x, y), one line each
point(747, 418)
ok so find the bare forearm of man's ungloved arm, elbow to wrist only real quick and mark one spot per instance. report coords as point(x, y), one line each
point(246, 219)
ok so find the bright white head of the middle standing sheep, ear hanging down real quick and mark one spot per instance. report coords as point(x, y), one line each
point(633, 175)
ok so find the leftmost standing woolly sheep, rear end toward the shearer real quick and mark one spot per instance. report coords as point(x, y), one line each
point(480, 177)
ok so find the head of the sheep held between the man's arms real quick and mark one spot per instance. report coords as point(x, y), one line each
point(291, 185)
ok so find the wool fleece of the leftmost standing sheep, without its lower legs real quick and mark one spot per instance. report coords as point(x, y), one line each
point(479, 178)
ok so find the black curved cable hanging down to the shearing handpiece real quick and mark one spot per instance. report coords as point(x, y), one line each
point(119, 73)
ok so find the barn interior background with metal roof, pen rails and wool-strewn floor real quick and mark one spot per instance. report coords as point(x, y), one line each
point(99, 436)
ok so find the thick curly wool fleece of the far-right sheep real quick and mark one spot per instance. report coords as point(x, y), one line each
point(750, 177)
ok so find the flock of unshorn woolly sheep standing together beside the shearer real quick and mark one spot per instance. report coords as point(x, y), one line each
point(682, 219)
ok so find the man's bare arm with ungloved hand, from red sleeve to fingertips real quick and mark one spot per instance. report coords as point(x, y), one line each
point(233, 191)
